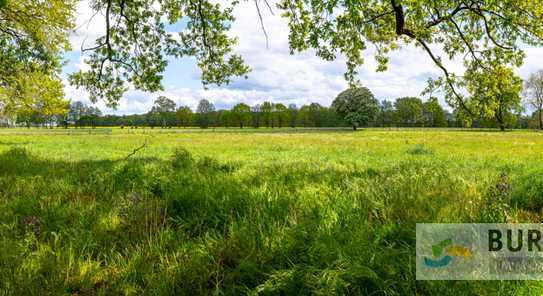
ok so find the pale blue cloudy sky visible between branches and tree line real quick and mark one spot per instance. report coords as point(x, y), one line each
point(276, 75)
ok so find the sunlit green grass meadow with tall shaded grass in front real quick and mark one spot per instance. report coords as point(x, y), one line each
point(251, 212)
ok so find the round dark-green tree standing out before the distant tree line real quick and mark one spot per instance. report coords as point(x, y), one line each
point(357, 106)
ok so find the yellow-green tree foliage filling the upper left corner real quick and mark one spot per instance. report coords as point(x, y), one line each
point(33, 35)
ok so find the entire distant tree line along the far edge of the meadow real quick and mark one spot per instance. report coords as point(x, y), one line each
point(496, 105)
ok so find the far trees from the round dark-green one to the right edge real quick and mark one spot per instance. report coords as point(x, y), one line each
point(493, 100)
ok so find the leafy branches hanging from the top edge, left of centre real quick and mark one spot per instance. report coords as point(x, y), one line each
point(136, 45)
